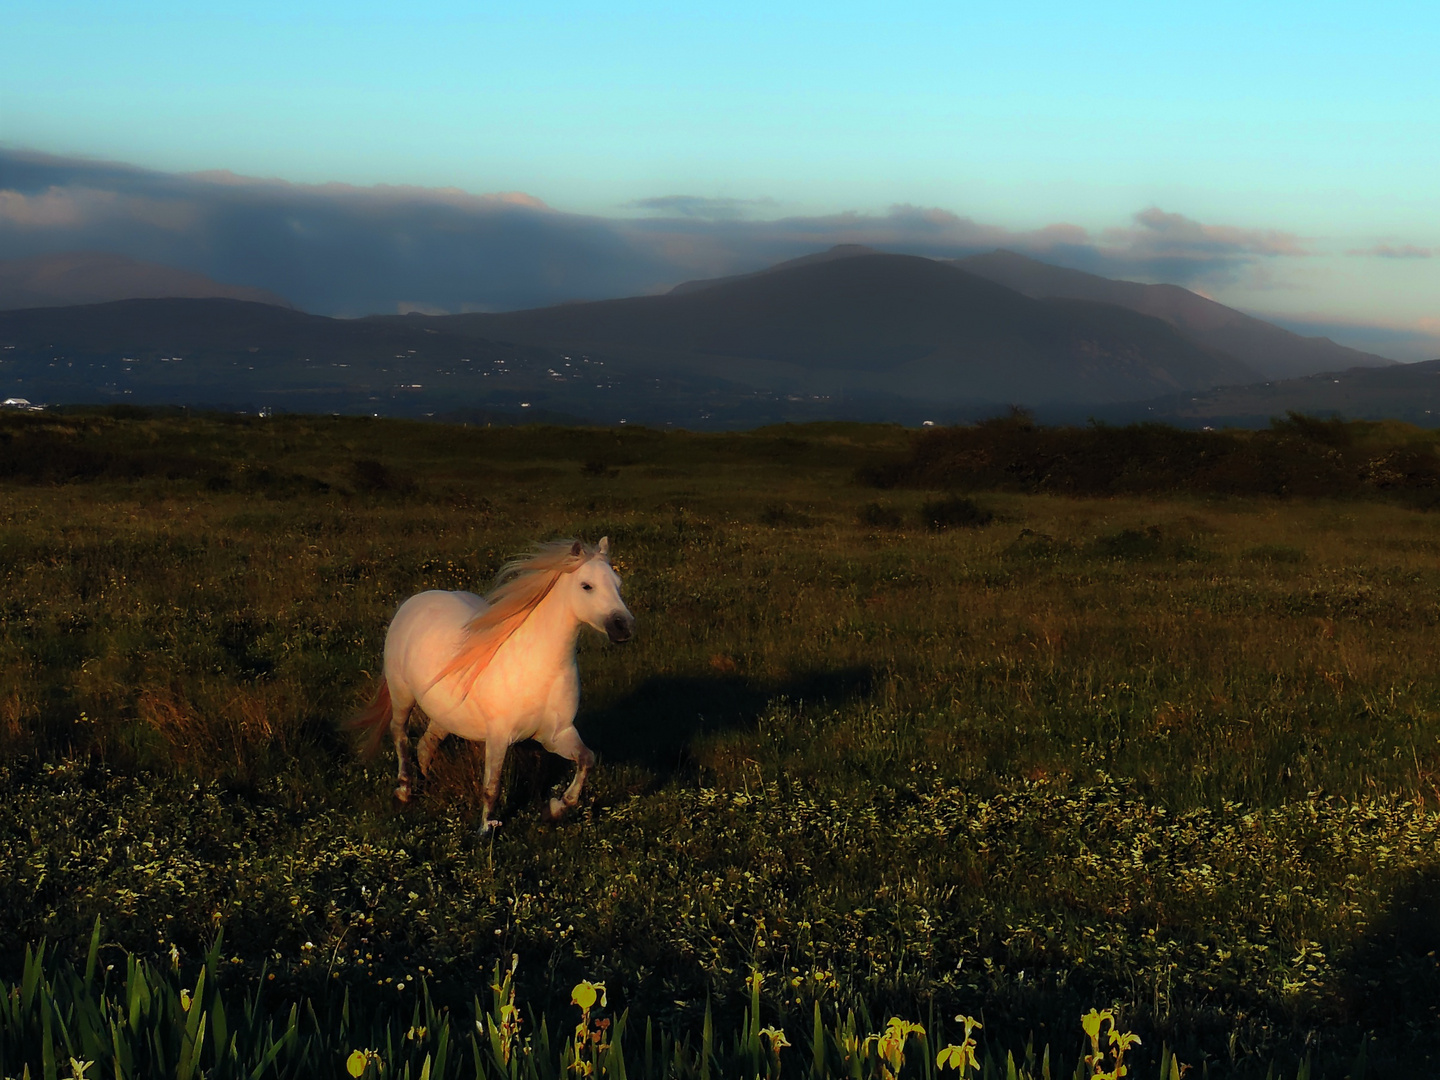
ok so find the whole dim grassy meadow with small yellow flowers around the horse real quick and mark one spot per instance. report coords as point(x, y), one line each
point(898, 738)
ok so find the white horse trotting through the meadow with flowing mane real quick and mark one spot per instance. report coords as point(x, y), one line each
point(499, 669)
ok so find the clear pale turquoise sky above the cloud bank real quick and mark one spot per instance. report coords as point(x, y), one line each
point(1315, 122)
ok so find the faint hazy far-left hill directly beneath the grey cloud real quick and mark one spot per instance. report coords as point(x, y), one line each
point(102, 277)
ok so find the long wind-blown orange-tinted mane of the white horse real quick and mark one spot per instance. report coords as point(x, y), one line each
point(521, 587)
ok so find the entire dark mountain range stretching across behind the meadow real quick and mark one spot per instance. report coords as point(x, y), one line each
point(842, 333)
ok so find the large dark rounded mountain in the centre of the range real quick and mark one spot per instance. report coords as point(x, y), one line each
point(870, 323)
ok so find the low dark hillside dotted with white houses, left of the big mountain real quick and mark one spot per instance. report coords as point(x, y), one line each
point(225, 354)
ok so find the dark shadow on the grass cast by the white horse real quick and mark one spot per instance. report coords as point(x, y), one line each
point(657, 724)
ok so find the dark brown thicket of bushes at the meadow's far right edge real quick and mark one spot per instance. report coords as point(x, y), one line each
point(1297, 456)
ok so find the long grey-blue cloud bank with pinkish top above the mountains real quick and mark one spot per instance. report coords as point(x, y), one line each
point(346, 250)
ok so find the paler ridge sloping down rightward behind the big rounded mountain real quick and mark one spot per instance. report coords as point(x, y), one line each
point(1274, 352)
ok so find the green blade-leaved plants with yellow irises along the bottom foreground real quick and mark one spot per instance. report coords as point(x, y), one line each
point(150, 1020)
